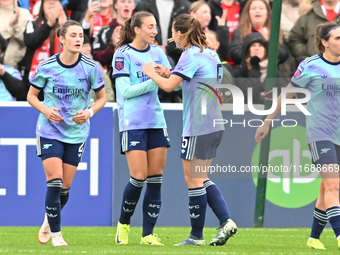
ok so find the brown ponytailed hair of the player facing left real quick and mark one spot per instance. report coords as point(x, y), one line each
point(191, 33)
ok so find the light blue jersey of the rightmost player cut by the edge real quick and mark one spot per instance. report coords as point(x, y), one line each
point(322, 79)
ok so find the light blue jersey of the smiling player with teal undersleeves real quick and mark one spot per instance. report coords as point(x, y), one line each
point(143, 111)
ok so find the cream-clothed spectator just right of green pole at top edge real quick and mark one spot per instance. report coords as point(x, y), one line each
point(289, 15)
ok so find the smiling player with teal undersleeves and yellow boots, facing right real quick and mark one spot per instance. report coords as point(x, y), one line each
point(143, 134)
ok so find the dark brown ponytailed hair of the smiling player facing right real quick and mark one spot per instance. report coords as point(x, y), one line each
point(128, 31)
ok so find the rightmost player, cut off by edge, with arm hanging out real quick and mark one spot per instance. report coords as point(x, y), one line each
point(319, 74)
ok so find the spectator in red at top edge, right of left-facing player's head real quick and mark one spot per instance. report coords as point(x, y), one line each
point(232, 9)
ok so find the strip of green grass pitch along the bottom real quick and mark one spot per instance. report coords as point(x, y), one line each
point(100, 240)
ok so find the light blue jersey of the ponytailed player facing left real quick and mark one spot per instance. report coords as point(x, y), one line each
point(200, 71)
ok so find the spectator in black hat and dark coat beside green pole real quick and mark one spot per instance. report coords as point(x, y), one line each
point(253, 70)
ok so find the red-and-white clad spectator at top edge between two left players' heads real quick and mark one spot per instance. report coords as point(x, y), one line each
point(97, 16)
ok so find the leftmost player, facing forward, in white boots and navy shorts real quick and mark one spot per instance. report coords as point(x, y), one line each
point(63, 127)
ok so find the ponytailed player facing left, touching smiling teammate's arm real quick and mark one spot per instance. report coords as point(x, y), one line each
point(199, 68)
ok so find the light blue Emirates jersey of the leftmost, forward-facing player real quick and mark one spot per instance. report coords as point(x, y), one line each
point(67, 88)
